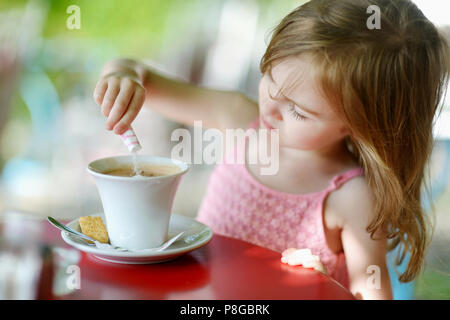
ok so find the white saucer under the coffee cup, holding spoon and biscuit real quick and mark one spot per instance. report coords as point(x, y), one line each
point(196, 235)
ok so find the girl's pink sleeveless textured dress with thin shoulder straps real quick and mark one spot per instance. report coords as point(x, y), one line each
point(237, 205)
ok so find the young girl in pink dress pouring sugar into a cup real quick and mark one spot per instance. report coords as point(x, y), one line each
point(354, 107)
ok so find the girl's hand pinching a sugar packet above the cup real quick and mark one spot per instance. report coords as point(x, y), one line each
point(121, 96)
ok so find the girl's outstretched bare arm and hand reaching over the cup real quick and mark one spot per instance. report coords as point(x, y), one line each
point(126, 84)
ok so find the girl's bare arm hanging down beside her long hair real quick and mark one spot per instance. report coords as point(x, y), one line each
point(365, 257)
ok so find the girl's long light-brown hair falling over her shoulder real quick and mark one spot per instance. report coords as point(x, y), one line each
point(386, 85)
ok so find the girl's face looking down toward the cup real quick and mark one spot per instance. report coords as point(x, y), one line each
point(304, 118)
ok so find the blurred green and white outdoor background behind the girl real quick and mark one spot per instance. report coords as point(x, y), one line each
point(50, 127)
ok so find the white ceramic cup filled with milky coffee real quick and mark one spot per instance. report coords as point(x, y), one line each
point(137, 209)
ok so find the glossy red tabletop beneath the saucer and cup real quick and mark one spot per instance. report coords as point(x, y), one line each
point(225, 268)
